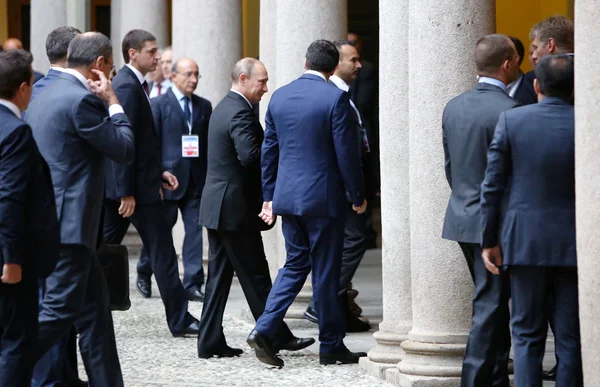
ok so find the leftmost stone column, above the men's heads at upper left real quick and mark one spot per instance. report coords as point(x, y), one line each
point(46, 15)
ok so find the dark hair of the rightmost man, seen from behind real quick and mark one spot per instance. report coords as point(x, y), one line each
point(556, 76)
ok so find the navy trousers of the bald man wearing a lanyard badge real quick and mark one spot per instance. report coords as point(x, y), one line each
point(189, 204)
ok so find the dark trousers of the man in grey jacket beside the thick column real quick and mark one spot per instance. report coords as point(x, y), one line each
point(486, 356)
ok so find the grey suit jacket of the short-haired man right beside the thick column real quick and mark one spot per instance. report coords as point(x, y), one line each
point(468, 125)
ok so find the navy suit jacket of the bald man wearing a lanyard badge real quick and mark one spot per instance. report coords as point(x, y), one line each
point(170, 125)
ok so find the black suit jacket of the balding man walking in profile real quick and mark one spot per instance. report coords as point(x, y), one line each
point(232, 197)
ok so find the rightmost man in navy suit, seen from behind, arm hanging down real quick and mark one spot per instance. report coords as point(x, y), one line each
point(534, 148)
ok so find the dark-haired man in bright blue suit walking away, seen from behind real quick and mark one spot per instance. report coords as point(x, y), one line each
point(309, 161)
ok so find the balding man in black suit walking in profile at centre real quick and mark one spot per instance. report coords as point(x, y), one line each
point(231, 202)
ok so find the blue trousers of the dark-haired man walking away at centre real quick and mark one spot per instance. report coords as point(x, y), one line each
point(312, 243)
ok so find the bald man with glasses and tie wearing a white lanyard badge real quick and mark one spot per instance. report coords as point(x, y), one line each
point(181, 116)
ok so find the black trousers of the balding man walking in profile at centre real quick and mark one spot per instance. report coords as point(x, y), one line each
point(241, 252)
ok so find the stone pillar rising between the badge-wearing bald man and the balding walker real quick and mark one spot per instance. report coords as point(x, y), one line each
point(209, 32)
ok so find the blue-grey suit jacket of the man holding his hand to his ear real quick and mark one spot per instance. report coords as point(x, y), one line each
point(75, 134)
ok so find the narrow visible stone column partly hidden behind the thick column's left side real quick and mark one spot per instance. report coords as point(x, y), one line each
point(395, 198)
